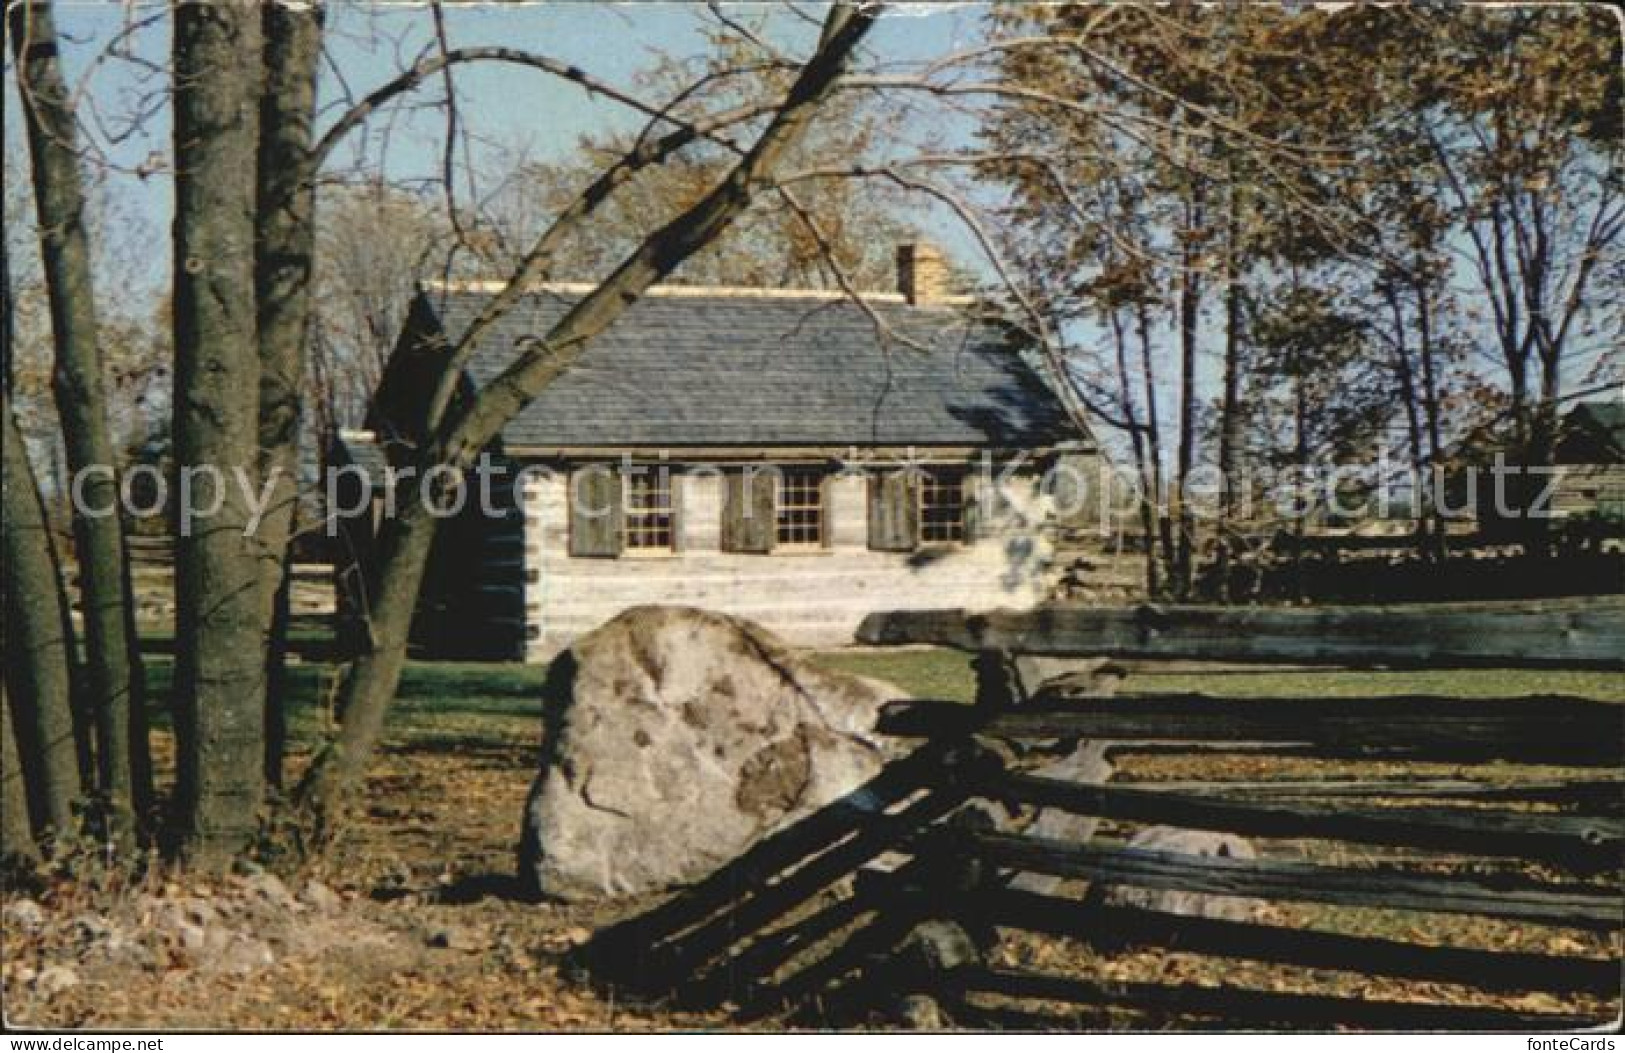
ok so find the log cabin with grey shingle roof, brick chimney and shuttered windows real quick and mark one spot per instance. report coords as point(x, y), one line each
point(787, 456)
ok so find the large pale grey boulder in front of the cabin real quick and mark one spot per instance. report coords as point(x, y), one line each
point(678, 739)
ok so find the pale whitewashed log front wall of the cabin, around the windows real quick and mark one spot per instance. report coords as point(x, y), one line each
point(813, 599)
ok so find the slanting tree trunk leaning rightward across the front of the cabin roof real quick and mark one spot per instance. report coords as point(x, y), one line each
point(407, 540)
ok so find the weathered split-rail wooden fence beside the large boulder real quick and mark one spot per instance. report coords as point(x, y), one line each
point(909, 886)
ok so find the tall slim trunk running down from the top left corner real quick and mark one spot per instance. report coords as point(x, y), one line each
point(115, 690)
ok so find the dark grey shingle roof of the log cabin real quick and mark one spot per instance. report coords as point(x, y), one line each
point(717, 370)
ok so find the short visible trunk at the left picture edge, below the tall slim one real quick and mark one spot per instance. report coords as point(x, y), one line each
point(38, 643)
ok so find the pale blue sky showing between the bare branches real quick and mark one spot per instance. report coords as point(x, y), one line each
point(506, 110)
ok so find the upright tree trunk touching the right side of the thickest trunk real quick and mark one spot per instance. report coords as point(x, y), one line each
point(284, 254)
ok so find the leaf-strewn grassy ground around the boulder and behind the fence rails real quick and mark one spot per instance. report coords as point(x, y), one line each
point(431, 849)
